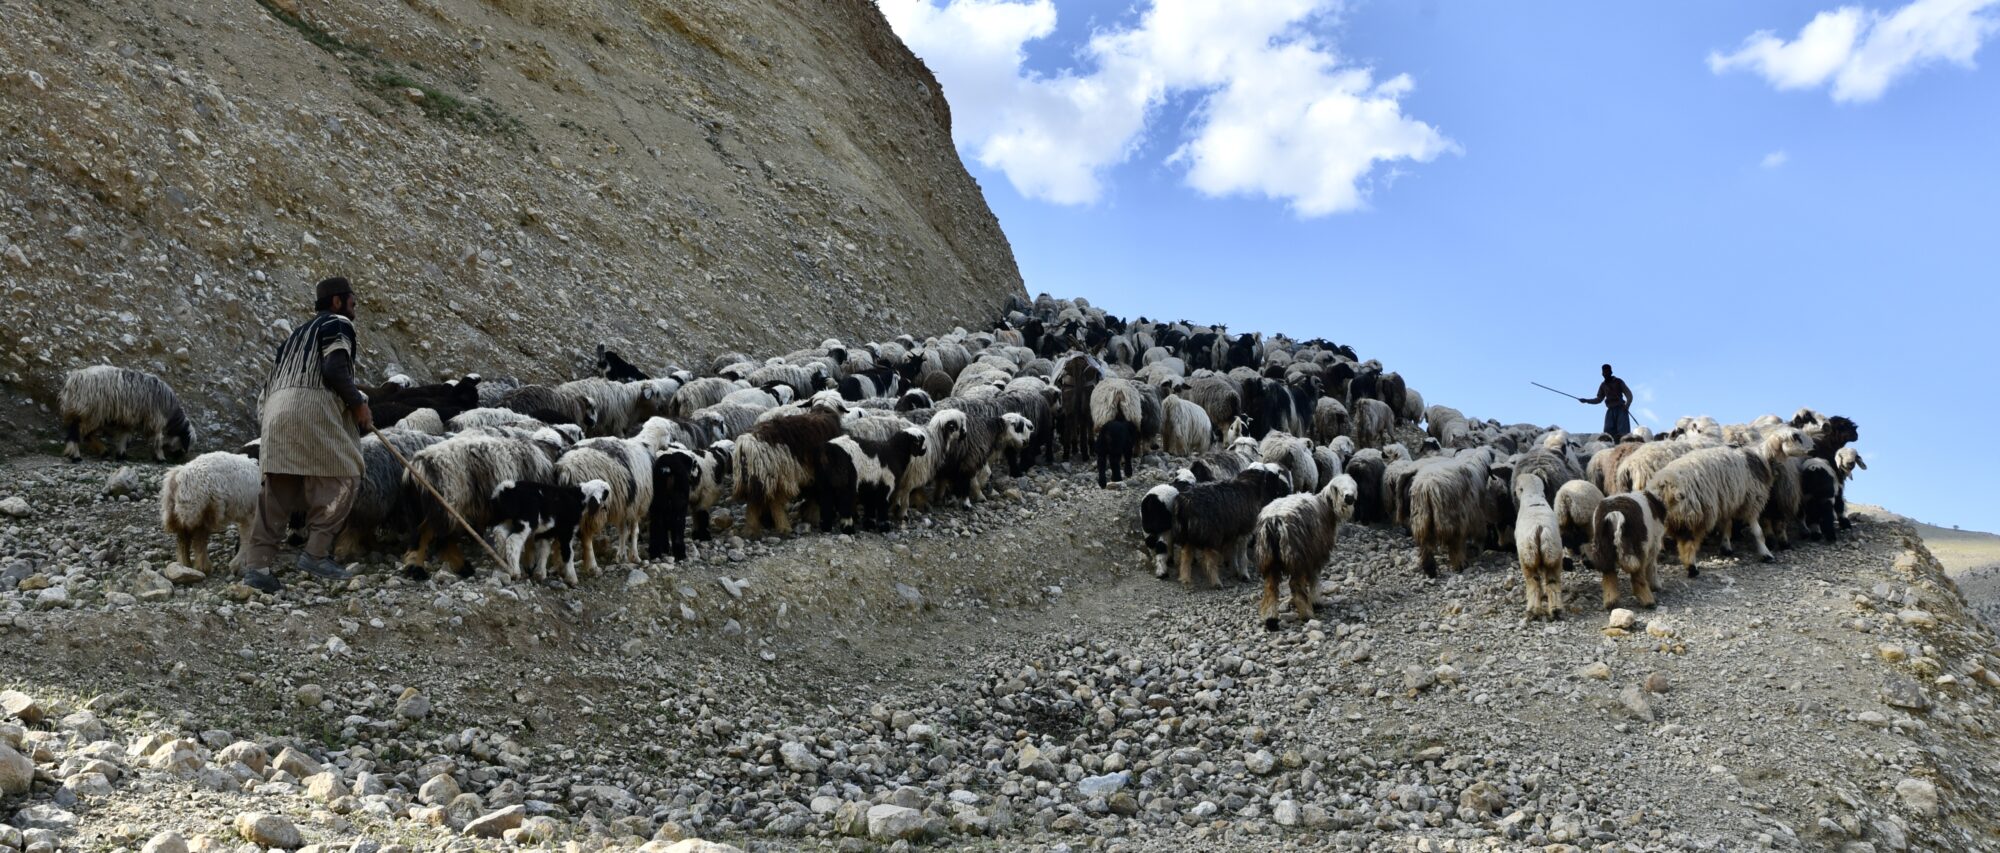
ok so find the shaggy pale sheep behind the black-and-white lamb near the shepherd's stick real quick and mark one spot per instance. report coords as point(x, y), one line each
point(467, 470)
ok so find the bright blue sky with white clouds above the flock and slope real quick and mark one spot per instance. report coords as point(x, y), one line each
point(1739, 223)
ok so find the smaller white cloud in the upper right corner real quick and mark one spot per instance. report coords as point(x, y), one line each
point(1861, 53)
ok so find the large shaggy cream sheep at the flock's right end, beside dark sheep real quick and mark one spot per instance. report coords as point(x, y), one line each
point(1715, 488)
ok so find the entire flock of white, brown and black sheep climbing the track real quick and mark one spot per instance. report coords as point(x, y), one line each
point(1283, 442)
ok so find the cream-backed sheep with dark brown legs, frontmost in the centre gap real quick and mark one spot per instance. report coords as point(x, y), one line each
point(1293, 540)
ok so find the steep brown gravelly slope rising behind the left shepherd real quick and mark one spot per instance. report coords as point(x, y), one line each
point(507, 181)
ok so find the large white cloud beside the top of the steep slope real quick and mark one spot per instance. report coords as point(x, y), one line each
point(1277, 113)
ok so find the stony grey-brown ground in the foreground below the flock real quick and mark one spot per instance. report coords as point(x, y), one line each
point(1005, 678)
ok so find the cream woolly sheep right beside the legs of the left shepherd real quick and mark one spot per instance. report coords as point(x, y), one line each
point(205, 498)
